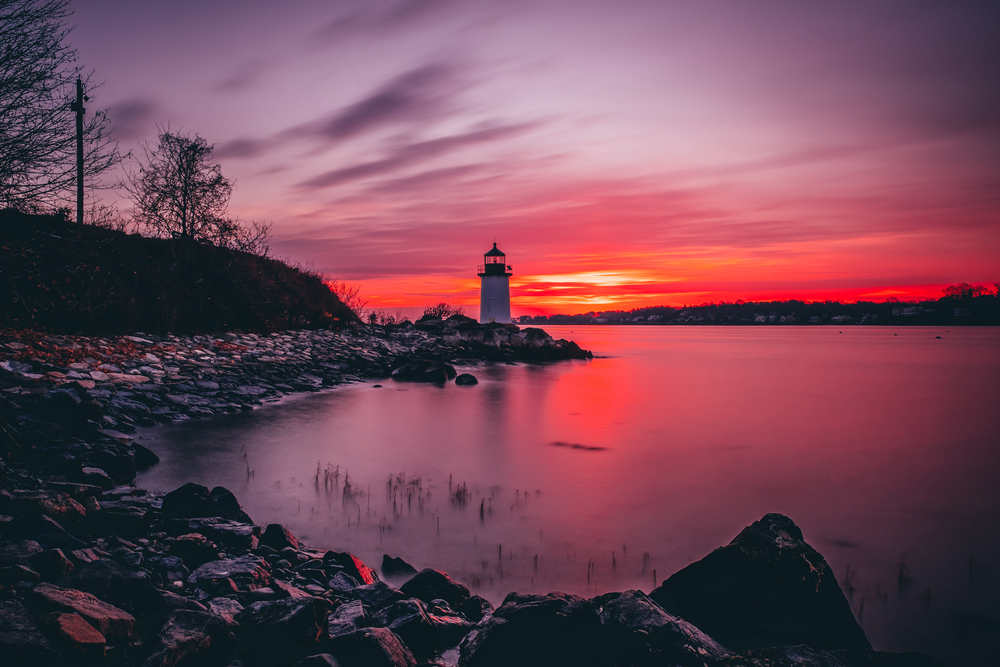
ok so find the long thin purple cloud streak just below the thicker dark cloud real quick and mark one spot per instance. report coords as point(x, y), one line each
point(411, 154)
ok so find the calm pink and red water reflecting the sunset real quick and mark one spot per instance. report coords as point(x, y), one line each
point(881, 443)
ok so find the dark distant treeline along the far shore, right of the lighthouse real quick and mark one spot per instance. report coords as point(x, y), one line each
point(961, 305)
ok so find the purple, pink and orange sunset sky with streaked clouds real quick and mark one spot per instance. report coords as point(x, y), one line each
point(621, 153)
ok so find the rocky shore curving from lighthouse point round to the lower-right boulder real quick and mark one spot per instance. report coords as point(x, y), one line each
point(94, 571)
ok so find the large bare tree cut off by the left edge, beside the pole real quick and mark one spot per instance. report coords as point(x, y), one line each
point(38, 74)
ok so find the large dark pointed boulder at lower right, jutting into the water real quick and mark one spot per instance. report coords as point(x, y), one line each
point(765, 588)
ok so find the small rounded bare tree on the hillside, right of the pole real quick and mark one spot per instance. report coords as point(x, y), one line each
point(180, 192)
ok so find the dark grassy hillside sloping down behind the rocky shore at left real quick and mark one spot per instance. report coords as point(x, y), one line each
point(58, 277)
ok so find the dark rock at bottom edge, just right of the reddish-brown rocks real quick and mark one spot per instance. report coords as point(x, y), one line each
point(191, 638)
